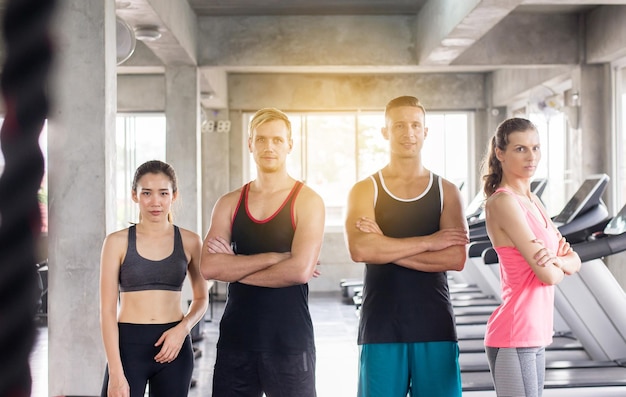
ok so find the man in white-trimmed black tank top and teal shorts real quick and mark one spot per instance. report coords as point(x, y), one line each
point(407, 225)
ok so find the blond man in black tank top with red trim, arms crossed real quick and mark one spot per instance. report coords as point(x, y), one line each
point(264, 240)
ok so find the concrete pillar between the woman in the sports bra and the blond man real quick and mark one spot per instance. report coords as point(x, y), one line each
point(182, 114)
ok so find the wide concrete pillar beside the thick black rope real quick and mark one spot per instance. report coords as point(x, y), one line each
point(81, 154)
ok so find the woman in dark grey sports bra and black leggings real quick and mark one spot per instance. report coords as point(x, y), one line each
point(146, 337)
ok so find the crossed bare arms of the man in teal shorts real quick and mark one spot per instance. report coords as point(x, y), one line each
point(366, 245)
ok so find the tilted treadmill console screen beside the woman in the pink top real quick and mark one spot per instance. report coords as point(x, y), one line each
point(588, 195)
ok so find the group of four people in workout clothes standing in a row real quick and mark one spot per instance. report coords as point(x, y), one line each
point(404, 222)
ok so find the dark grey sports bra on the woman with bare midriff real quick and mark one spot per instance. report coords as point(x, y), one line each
point(139, 274)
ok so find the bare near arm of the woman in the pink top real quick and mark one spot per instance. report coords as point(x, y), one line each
point(506, 225)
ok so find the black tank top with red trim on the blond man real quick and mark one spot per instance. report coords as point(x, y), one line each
point(260, 318)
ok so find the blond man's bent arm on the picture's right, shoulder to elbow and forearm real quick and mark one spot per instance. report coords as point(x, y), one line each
point(299, 267)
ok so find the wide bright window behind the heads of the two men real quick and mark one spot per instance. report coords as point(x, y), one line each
point(332, 151)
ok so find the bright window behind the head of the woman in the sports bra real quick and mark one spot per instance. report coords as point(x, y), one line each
point(139, 138)
